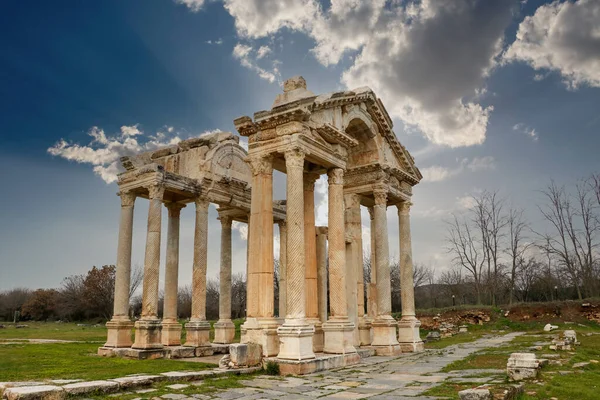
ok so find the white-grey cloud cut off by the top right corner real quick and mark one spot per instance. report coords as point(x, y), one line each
point(562, 37)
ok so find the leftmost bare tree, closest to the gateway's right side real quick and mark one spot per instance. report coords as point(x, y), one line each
point(466, 251)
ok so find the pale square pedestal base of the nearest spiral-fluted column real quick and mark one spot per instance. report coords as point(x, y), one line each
point(295, 340)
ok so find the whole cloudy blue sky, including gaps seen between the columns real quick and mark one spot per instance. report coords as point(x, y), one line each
point(485, 94)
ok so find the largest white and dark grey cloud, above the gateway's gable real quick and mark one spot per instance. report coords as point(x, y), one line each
point(428, 60)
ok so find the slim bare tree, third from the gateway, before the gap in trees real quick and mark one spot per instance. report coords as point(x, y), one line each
point(517, 228)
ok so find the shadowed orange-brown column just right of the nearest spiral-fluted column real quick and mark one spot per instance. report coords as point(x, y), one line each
point(310, 240)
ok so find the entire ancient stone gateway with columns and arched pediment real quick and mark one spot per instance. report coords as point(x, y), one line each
point(346, 135)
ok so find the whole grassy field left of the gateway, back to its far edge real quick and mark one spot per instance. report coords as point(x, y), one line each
point(21, 360)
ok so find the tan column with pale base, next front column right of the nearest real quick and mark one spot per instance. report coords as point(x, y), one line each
point(338, 328)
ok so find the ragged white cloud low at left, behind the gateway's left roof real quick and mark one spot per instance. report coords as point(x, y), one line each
point(103, 152)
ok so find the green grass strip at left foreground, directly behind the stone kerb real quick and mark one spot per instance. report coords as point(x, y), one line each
point(24, 362)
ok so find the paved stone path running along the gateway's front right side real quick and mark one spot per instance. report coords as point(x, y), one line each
point(376, 378)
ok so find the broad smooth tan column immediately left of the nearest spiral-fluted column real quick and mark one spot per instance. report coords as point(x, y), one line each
point(260, 325)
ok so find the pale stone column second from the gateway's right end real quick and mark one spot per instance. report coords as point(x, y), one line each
point(384, 325)
